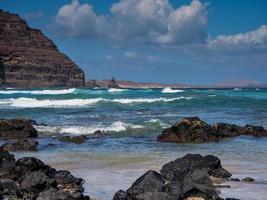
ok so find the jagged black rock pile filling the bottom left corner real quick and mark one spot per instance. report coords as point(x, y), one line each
point(30, 178)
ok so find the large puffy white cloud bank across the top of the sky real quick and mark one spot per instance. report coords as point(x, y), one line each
point(153, 21)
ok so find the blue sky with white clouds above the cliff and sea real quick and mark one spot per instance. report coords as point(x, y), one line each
point(166, 41)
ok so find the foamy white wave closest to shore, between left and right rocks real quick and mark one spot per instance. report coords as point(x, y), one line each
point(117, 126)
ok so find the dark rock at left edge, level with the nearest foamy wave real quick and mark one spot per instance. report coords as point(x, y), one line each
point(17, 128)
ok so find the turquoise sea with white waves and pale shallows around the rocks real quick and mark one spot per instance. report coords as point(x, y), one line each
point(131, 120)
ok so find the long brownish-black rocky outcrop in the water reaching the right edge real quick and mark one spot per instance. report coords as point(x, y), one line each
point(193, 129)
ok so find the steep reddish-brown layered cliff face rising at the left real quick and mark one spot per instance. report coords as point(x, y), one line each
point(29, 59)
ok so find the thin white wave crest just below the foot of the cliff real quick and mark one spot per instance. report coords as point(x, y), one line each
point(38, 92)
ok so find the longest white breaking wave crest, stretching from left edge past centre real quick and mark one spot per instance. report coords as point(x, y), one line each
point(52, 103)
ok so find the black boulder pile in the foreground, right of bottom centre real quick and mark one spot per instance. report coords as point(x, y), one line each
point(183, 178)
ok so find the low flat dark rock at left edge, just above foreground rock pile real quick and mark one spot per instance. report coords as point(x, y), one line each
point(21, 145)
